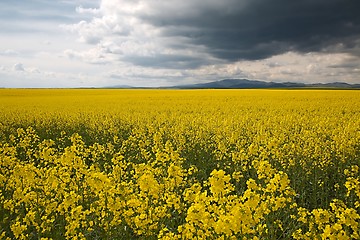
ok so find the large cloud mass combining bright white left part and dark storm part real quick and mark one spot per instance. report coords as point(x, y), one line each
point(212, 32)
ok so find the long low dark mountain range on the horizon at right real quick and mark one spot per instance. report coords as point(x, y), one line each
point(253, 84)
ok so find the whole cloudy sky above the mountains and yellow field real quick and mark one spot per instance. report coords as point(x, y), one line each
point(92, 43)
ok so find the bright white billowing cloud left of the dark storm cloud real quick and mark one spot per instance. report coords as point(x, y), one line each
point(120, 31)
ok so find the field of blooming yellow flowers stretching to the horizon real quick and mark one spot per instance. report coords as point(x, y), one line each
point(179, 164)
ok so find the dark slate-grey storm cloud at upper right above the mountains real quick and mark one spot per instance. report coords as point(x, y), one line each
point(258, 29)
